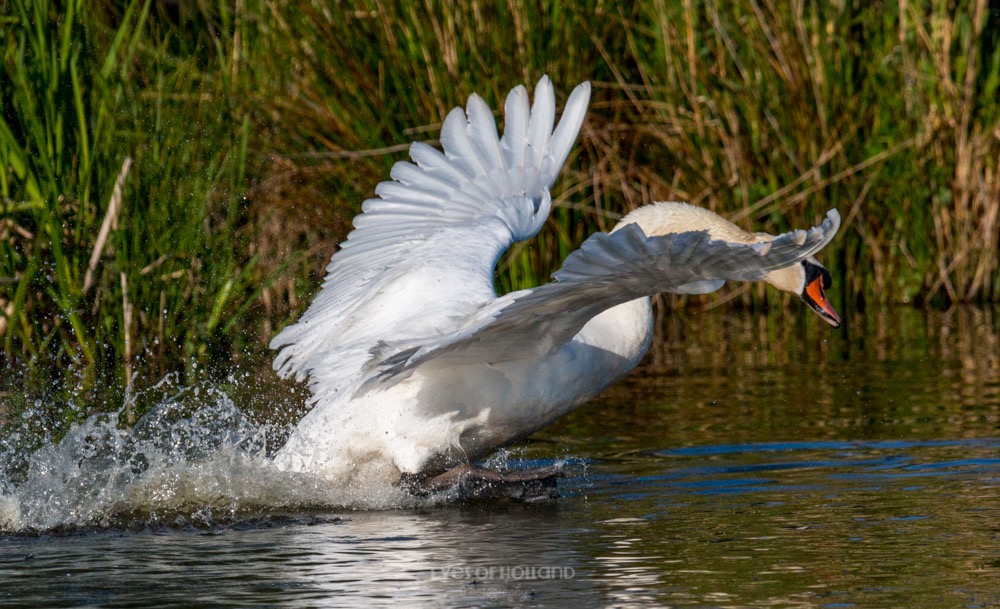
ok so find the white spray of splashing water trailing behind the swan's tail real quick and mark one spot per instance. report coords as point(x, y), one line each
point(194, 459)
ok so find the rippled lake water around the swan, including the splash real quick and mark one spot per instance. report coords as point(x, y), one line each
point(750, 462)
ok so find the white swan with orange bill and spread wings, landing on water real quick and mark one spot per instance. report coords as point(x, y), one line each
point(418, 369)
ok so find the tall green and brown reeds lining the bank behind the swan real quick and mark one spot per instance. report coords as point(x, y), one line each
point(175, 175)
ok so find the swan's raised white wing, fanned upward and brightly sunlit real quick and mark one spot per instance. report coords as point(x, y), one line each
point(422, 254)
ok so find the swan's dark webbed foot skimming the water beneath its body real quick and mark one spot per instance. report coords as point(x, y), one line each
point(474, 482)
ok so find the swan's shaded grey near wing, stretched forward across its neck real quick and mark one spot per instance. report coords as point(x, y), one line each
point(608, 270)
